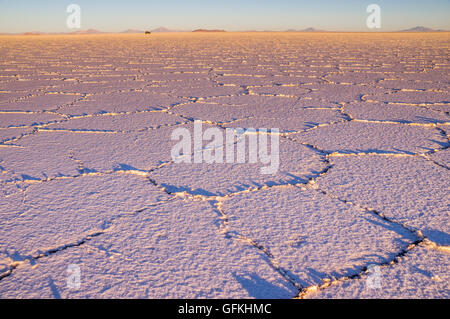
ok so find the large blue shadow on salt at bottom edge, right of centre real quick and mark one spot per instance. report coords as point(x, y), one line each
point(260, 288)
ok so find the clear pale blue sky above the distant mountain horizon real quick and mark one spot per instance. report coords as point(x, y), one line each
point(232, 15)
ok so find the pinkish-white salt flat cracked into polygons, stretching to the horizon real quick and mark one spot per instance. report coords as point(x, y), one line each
point(87, 177)
